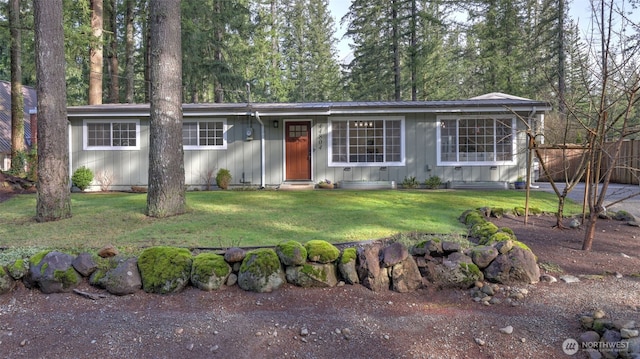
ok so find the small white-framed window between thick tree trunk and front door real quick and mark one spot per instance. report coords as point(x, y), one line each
point(204, 134)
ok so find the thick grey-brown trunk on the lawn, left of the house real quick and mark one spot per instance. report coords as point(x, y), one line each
point(54, 200)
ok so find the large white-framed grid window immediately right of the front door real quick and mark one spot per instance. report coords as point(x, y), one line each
point(366, 141)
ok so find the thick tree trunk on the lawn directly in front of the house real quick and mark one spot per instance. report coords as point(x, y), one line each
point(166, 193)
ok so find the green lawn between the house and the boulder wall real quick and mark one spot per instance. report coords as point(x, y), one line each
point(252, 218)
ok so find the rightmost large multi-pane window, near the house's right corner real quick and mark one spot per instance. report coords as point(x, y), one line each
point(476, 140)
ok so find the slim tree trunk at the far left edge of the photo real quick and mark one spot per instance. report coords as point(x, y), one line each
point(17, 101)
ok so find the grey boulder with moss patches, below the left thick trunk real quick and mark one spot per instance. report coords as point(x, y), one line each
point(52, 272)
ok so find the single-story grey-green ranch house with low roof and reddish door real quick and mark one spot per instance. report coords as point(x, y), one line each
point(481, 139)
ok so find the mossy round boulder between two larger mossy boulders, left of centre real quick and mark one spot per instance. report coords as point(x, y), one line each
point(209, 271)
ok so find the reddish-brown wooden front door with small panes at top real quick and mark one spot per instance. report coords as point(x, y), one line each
point(298, 150)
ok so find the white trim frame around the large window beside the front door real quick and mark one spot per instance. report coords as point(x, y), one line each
point(402, 161)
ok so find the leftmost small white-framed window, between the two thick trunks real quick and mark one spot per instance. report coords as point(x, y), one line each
point(111, 135)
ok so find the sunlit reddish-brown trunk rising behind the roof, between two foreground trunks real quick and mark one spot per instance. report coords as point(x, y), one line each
point(95, 53)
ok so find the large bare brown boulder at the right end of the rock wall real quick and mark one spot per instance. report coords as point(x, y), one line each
point(519, 265)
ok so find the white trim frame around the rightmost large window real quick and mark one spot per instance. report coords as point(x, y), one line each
point(474, 163)
